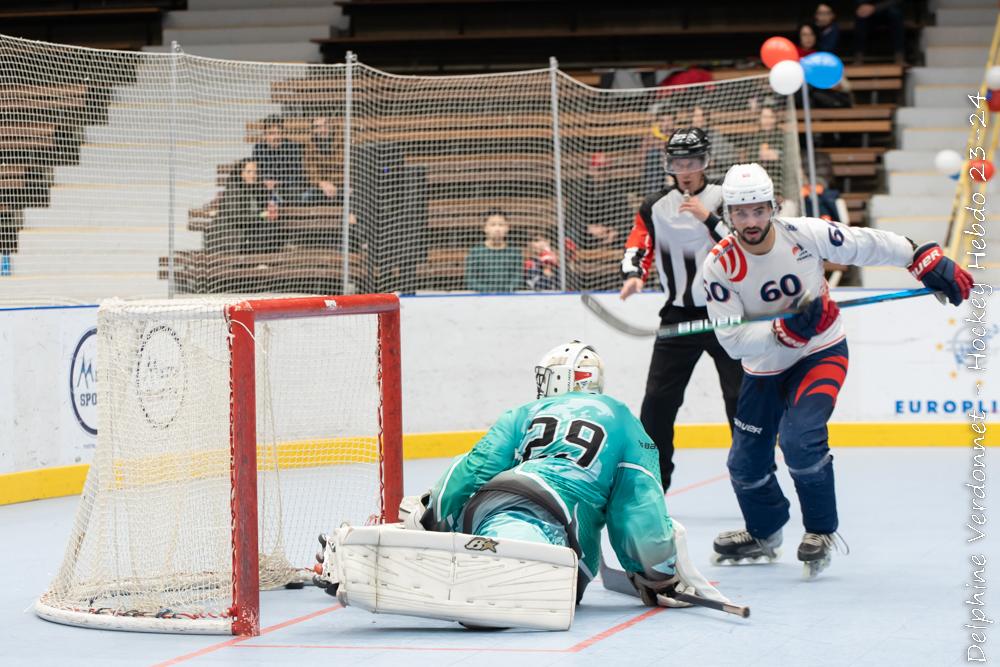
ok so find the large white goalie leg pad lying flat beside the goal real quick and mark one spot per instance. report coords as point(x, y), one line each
point(475, 580)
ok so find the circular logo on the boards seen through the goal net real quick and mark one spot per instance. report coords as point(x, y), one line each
point(159, 376)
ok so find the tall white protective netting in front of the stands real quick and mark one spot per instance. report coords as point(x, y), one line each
point(152, 174)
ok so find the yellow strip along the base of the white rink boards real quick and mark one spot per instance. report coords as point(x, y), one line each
point(68, 480)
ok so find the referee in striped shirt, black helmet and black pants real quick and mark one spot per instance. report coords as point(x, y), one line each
point(679, 225)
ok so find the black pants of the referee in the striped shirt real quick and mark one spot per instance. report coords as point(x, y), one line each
point(670, 370)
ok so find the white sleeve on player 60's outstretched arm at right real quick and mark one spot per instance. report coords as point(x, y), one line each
point(856, 246)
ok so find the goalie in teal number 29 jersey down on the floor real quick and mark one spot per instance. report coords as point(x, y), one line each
point(510, 535)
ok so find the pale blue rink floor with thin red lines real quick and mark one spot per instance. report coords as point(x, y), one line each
point(897, 599)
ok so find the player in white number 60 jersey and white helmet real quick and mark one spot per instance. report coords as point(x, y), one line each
point(794, 367)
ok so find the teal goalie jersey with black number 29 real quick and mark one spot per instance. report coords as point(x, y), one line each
point(588, 460)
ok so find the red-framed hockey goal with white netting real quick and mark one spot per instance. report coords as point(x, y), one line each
point(230, 434)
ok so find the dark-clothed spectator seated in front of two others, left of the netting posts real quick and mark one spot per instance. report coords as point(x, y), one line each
point(247, 218)
